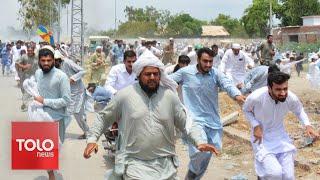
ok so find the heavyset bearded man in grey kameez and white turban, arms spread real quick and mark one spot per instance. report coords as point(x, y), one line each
point(148, 114)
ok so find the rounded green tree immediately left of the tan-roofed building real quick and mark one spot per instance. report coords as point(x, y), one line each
point(184, 25)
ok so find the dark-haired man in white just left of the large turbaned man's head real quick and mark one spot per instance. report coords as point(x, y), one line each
point(121, 75)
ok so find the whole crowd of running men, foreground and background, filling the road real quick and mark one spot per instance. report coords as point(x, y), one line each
point(148, 93)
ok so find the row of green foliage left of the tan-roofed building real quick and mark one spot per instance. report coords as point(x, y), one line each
point(149, 22)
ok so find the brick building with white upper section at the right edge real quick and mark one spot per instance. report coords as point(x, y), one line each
point(309, 32)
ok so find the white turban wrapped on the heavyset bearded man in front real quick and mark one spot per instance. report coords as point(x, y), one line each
point(149, 59)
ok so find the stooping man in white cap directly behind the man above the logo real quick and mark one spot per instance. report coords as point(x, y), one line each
point(78, 91)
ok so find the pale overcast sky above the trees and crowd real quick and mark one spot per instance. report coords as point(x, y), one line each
point(99, 14)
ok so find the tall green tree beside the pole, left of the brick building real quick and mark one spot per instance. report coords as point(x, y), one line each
point(256, 17)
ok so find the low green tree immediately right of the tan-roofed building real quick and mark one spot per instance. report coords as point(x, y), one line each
point(232, 25)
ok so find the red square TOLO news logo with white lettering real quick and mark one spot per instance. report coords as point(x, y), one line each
point(34, 145)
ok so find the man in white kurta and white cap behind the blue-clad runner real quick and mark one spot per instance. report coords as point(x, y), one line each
point(235, 63)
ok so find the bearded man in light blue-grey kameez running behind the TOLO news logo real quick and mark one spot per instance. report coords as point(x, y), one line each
point(54, 90)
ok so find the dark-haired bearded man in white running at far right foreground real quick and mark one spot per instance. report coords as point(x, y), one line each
point(266, 109)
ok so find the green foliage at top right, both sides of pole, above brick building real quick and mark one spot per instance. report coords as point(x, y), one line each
point(256, 16)
